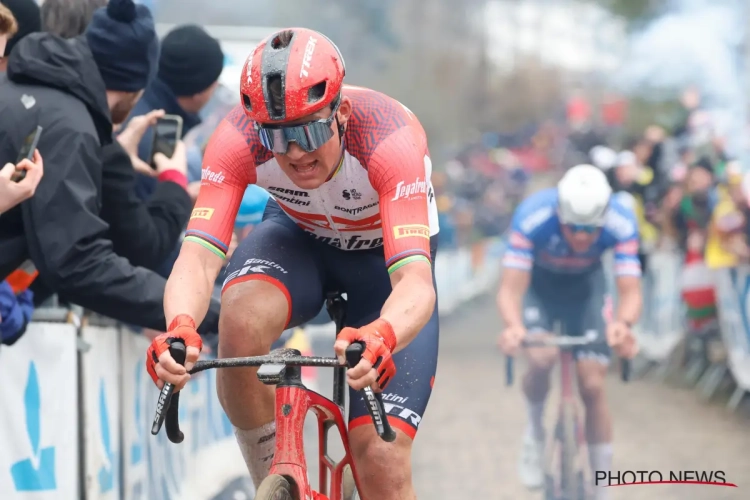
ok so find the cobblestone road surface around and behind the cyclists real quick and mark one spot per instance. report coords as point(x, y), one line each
point(467, 446)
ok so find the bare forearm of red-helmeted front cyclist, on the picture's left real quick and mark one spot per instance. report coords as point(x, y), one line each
point(189, 288)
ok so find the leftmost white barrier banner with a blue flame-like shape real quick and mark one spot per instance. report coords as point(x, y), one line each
point(39, 415)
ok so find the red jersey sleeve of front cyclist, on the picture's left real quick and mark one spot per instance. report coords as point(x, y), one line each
point(228, 168)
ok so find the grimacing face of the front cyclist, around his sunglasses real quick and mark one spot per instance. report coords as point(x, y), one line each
point(311, 170)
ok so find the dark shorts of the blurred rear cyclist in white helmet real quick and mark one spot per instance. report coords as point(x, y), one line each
point(579, 303)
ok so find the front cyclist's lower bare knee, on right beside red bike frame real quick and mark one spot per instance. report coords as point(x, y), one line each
point(378, 459)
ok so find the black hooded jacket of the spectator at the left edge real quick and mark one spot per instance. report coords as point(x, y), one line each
point(55, 83)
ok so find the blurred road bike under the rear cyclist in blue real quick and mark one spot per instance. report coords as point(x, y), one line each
point(567, 480)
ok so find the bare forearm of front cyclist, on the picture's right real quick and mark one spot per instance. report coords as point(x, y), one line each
point(410, 305)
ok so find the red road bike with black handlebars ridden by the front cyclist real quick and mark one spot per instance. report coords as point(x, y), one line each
point(338, 480)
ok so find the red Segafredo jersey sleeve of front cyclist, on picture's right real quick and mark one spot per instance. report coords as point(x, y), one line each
point(396, 164)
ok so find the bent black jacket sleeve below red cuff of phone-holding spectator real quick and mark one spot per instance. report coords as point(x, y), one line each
point(143, 232)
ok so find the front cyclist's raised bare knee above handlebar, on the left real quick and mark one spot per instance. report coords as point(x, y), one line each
point(253, 315)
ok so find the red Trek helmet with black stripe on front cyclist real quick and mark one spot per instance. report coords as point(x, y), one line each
point(291, 74)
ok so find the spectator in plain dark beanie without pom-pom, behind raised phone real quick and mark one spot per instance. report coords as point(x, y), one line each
point(190, 64)
